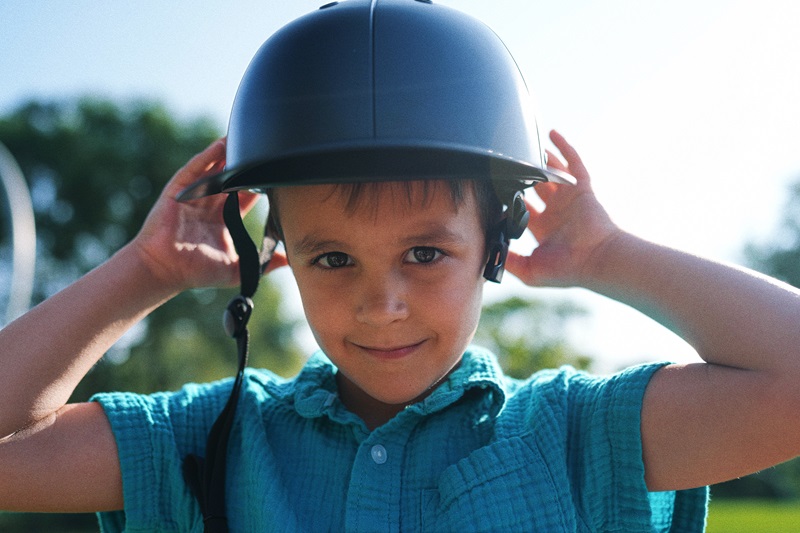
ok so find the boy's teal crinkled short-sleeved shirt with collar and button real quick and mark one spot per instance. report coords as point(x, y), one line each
point(560, 451)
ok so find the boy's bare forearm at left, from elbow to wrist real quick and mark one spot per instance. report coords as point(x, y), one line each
point(45, 353)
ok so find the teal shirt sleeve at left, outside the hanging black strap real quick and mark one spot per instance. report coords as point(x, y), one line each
point(153, 434)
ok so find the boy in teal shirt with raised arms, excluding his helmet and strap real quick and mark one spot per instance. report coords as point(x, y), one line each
point(400, 425)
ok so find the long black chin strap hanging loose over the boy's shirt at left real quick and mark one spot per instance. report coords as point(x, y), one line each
point(206, 476)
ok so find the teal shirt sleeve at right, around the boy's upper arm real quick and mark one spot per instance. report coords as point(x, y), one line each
point(605, 456)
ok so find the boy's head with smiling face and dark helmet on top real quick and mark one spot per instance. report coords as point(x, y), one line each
point(377, 93)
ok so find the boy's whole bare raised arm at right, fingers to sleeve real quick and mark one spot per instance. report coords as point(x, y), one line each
point(701, 423)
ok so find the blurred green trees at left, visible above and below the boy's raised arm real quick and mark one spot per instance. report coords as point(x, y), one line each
point(95, 168)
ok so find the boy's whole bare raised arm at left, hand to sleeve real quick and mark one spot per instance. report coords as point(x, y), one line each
point(63, 457)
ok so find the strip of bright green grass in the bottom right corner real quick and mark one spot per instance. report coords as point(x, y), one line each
point(740, 516)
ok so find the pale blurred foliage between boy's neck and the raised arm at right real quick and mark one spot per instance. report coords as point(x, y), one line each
point(528, 335)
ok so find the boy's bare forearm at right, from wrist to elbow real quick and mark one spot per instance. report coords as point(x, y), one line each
point(730, 315)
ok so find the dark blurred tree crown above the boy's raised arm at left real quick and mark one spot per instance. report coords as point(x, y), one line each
point(95, 168)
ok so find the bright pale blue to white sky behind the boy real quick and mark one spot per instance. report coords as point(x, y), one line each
point(686, 113)
